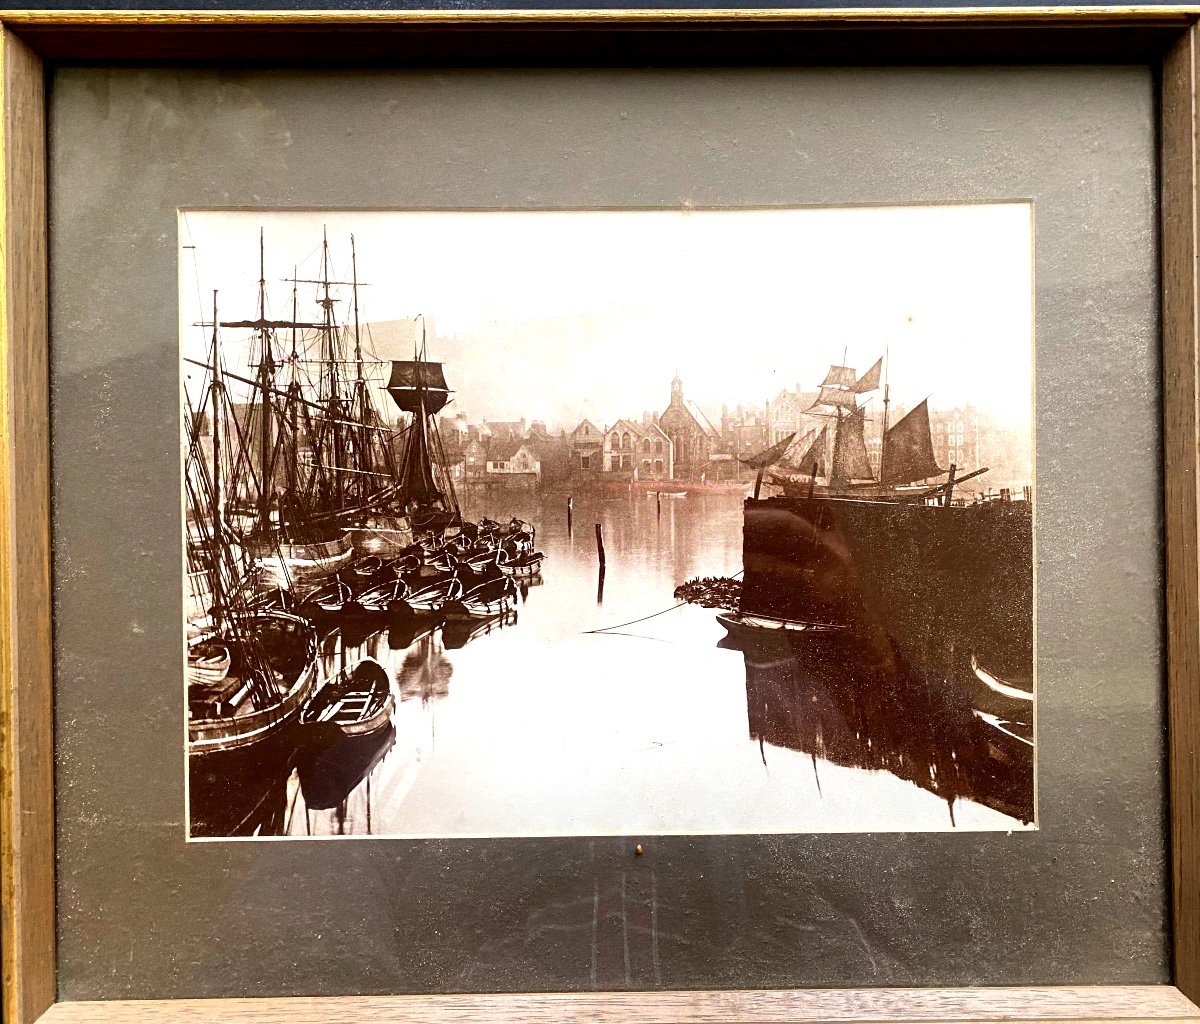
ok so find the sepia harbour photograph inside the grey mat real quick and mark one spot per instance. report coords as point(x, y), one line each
point(608, 523)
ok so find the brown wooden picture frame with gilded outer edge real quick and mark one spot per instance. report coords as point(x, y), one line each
point(1167, 39)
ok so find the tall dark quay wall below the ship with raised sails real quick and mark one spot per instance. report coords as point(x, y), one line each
point(934, 584)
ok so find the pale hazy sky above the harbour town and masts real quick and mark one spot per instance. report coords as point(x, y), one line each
point(561, 315)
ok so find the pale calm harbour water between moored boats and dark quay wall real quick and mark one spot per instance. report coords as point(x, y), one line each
point(611, 710)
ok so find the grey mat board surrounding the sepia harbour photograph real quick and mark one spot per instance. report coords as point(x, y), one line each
point(142, 914)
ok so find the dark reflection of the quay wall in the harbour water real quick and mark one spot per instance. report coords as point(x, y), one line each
point(825, 696)
